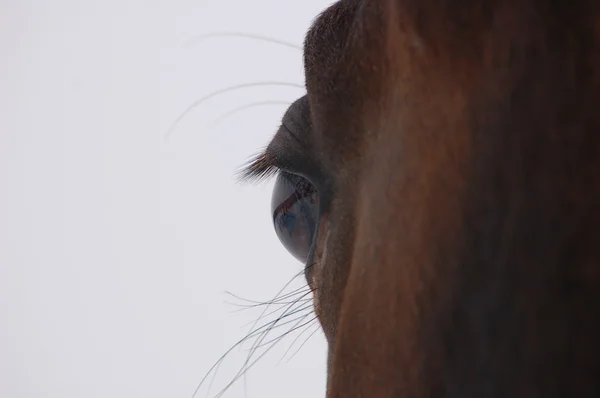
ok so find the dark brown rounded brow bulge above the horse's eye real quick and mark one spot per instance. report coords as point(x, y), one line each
point(343, 55)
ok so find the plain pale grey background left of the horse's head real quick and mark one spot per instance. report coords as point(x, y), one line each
point(115, 247)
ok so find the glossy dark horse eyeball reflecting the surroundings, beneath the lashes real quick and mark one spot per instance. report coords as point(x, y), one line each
point(294, 208)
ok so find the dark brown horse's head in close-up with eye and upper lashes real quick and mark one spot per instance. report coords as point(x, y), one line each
point(440, 180)
